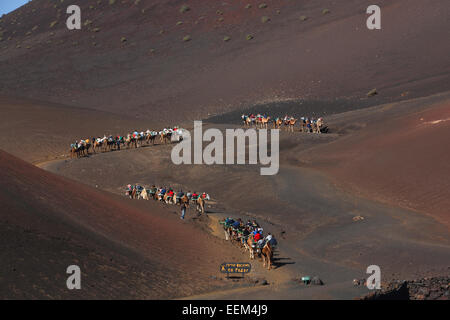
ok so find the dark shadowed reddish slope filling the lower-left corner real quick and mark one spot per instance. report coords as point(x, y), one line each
point(48, 223)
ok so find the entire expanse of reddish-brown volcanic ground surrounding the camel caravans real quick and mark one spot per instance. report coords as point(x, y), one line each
point(373, 191)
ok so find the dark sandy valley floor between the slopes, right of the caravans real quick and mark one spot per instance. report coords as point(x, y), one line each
point(312, 217)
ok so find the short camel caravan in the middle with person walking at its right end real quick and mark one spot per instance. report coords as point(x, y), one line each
point(168, 196)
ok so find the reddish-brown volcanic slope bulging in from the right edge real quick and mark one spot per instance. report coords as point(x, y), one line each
point(404, 160)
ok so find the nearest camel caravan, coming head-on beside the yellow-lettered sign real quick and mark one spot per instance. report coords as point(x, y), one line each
point(250, 237)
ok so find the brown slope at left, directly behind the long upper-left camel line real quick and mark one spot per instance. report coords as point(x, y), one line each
point(37, 131)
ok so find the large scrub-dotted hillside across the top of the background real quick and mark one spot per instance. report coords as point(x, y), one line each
point(130, 57)
